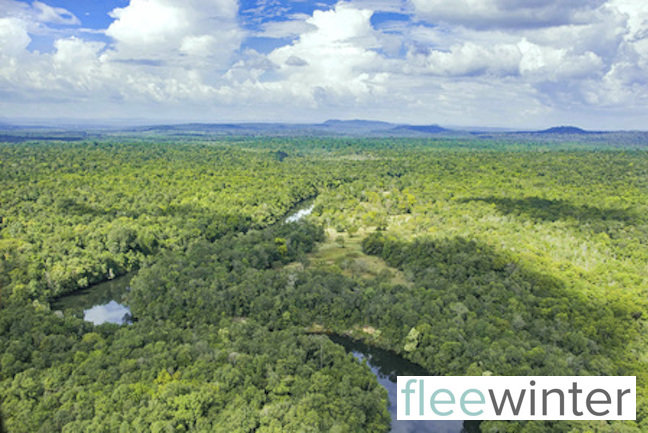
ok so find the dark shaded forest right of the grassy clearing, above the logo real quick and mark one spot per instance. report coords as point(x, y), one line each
point(473, 309)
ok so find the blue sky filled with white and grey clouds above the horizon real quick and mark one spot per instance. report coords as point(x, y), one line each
point(488, 63)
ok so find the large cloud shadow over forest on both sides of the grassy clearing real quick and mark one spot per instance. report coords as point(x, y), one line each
point(471, 309)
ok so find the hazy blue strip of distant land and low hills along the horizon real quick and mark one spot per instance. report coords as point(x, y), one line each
point(330, 128)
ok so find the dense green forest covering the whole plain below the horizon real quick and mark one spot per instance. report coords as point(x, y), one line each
point(463, 256)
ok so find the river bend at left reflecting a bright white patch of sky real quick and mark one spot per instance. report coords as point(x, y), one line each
point(101, 303)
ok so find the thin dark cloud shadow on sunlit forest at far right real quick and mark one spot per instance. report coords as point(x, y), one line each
point(555, 209)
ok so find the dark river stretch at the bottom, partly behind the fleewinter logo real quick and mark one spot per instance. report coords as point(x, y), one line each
point(387, 366)
